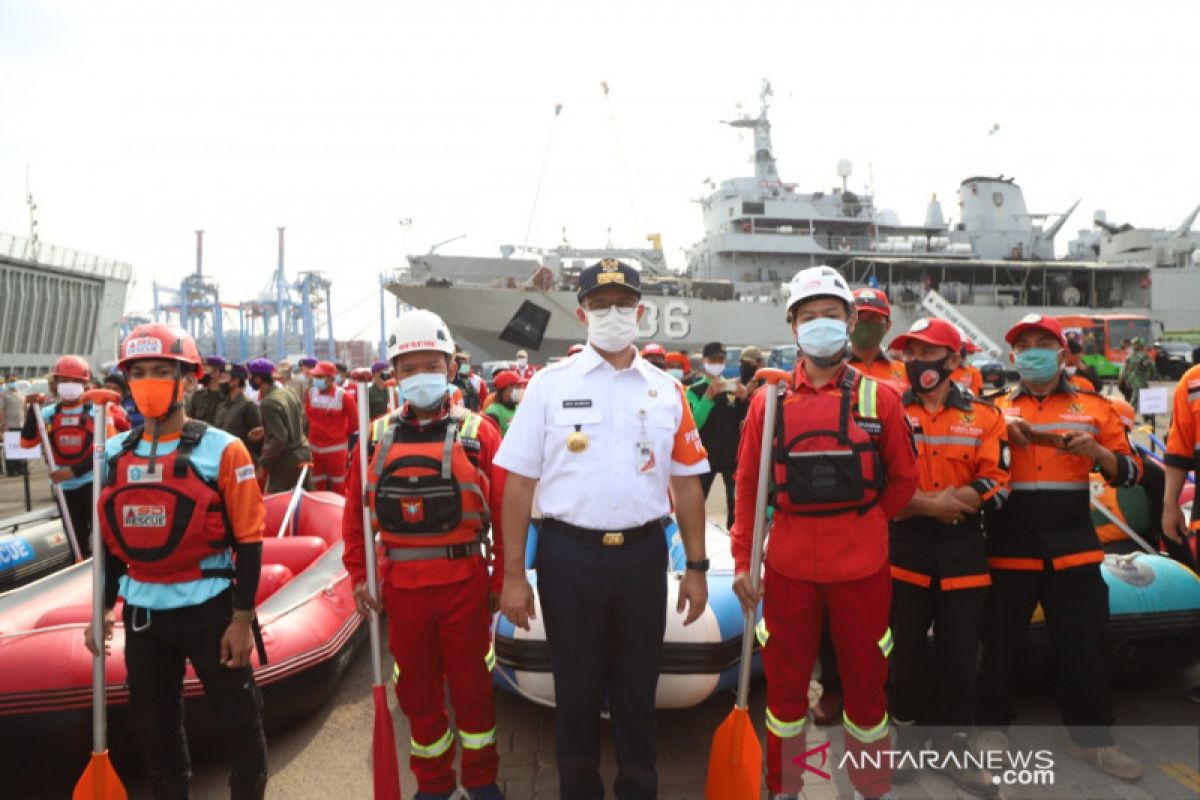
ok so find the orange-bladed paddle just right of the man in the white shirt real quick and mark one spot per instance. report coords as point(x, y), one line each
point(735, 762)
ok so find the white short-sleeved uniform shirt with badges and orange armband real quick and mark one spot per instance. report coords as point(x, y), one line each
point(639, 429)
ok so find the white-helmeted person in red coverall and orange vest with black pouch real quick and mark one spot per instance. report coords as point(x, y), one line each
point(436, 586)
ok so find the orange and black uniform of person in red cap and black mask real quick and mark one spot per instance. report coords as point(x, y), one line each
point(940, 572)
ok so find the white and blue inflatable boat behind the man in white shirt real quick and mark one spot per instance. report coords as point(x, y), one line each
point(698, 660)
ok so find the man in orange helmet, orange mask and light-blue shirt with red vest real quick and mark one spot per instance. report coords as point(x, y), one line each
point(181, 482)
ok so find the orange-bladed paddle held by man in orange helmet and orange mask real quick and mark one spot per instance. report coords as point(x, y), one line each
point(99, 780)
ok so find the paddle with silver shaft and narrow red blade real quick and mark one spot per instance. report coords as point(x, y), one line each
point(383, 743)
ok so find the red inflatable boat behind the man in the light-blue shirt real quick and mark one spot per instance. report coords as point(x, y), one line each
point(305, 609)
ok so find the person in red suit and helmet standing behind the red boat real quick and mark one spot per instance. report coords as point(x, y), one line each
point(333, 417)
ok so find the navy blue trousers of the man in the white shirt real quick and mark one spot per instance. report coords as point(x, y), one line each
point(605, 616)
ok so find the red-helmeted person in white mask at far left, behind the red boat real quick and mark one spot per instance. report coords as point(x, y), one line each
point(69, 426)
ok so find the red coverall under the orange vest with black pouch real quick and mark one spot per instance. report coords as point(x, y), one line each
point(440, 630)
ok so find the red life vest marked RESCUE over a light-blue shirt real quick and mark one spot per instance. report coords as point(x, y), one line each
point(164, 524)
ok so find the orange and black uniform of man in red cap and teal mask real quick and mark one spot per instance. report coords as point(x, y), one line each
point(1042, 549)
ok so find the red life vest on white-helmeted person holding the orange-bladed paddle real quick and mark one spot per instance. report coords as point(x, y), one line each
point(826, 461)
